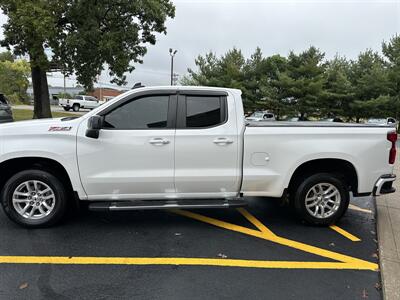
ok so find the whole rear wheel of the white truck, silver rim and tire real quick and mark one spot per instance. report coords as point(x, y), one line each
point(321, 199)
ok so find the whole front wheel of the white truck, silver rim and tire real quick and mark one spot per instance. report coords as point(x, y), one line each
point(34, 198)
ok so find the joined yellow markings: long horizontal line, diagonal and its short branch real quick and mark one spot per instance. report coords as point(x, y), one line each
point(342, 261)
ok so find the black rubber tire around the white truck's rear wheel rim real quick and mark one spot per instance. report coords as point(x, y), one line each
point(305, 186)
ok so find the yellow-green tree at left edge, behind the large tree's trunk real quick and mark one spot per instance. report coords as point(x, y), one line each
point(13, 77)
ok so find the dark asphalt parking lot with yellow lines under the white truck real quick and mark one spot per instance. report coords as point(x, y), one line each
point(259, 252)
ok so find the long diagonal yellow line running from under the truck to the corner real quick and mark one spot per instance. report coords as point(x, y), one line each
point(361, 264)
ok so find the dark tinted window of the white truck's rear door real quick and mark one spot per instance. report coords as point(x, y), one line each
point(204, 111)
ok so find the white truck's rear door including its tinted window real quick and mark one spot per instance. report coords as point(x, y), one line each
point(206, 146)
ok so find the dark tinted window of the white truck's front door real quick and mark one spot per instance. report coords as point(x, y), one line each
point(141, 113)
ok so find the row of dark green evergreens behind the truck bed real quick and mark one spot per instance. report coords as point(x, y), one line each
point(308, 85)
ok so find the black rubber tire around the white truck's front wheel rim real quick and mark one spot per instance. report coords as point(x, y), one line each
point(60, 202)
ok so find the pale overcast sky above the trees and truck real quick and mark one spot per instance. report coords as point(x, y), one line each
point(277, 27)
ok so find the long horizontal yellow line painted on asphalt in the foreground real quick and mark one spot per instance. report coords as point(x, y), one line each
point(182, 261)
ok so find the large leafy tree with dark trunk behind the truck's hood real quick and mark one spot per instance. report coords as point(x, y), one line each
point(82, 37)
